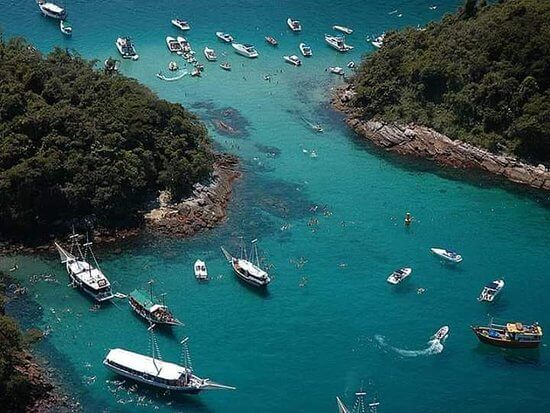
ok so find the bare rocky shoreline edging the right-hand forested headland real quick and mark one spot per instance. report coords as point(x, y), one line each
point(421, 141)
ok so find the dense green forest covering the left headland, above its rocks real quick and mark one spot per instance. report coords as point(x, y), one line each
point(76, 143)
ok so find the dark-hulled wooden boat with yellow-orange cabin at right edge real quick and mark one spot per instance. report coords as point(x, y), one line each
point(510, 335)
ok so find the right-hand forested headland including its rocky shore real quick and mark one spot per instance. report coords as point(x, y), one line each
point(470, 91)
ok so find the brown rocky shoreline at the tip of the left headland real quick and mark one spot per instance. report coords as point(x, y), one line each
point(204, 209)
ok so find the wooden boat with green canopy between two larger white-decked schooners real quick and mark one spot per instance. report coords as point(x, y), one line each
point(147, 306)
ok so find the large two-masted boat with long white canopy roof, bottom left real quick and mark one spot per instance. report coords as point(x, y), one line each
point(152, 370)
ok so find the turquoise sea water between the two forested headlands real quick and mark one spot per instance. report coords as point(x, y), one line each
point(297, 347)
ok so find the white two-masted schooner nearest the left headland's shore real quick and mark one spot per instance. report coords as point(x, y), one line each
point(89, 278)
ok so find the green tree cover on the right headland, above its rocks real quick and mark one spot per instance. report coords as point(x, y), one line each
point(481, 75)
